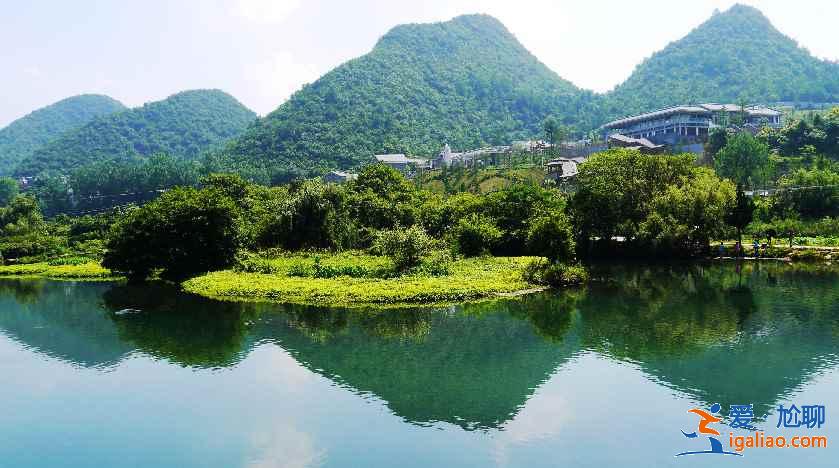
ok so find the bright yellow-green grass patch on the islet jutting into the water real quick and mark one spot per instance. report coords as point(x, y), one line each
point(468, 279)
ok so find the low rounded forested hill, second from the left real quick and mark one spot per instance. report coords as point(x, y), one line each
point(182, 125)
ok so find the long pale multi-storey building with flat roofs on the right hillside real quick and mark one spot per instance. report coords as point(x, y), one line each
point(687, 126)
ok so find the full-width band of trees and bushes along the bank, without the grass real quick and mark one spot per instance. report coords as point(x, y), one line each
point(624, 203)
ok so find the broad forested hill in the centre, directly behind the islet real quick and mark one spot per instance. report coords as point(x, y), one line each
point(465, 82)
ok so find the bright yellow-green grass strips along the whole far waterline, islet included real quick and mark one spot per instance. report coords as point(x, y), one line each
point(471, 280)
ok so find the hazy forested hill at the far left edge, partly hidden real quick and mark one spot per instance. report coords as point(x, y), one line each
point(23, 136)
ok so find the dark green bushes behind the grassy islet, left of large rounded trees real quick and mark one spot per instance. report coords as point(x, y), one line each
point(191, 230)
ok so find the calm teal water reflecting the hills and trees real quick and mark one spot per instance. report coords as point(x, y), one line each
point(596, 377)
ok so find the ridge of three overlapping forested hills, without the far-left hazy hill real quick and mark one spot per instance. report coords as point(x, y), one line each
point(467, 82)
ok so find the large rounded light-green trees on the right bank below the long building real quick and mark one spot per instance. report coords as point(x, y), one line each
point(650, 204)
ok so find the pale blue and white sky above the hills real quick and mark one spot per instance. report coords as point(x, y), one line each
point(261, 51)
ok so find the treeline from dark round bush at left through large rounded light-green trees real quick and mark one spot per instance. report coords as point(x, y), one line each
point(656, 205)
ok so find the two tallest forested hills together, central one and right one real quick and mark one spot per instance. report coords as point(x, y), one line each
point(469, 82)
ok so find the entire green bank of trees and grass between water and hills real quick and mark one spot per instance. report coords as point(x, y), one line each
point(387, 240)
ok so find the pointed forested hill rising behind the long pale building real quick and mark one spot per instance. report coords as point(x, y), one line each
point(734, 55)
